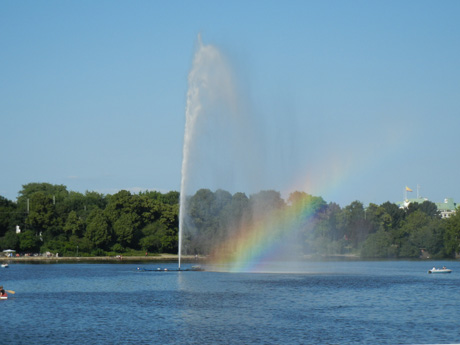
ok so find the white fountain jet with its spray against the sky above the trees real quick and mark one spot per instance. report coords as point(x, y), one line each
point(222, 147)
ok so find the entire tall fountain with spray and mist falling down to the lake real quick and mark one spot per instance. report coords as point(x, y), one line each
point(224, 150)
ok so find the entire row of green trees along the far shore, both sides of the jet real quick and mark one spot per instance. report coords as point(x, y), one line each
point(53, 219)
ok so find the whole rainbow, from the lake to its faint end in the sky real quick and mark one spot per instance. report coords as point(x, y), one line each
point(253, 246)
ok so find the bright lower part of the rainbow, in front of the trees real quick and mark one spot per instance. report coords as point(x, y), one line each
point(252, 247)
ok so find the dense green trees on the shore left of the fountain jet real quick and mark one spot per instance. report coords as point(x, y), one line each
point(70, 223)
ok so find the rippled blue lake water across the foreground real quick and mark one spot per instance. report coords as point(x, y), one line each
point(343, 302)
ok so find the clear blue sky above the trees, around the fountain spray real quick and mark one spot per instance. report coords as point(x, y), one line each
point(352, 100)
